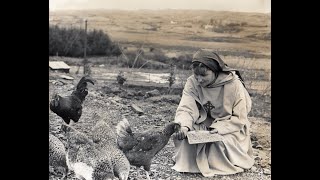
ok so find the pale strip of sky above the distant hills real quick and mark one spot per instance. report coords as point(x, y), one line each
point(261, 6)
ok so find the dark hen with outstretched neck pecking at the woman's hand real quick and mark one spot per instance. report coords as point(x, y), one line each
point(141, 147)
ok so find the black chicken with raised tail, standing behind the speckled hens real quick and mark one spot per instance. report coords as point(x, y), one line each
point(70, 107)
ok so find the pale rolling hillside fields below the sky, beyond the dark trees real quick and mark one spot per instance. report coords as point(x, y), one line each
point(177, 30)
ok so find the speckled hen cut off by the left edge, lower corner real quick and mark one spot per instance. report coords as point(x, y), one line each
point(57, 155)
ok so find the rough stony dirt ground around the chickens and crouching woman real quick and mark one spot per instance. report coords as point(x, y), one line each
point(114, 103)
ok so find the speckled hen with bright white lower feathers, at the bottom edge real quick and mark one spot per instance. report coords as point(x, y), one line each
point(84, 158)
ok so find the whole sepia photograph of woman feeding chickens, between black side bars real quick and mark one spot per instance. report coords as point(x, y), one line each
point(160, 89)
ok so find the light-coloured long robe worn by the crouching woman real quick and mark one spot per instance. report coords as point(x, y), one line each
point(231, 104)
